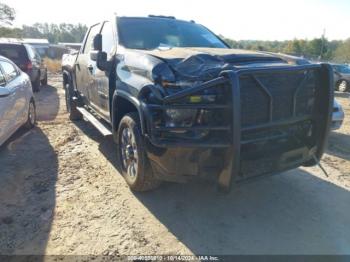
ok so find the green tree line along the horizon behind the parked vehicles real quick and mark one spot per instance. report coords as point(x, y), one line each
point(315, 49)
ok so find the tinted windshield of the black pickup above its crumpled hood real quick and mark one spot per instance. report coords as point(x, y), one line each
point(152, 33)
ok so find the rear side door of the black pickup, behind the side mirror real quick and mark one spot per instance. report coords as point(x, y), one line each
point(85, 66)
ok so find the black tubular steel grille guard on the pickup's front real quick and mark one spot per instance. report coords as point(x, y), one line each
point(322, 120)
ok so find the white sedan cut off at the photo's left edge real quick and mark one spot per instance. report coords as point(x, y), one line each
point(17, 105)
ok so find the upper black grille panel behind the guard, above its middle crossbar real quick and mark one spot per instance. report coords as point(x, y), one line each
point(268, 97)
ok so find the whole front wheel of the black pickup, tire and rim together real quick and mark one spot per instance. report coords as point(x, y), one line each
point(136, 169)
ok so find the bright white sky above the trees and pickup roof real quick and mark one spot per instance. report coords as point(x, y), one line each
point(245, 19)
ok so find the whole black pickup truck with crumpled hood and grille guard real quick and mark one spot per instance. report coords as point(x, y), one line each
point(181, 104)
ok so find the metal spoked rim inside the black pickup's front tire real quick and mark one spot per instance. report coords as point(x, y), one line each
point(129, 154)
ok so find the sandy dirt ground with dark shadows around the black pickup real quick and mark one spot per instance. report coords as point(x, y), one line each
point(61, 193)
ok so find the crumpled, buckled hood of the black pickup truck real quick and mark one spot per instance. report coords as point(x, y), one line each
point(194, 63)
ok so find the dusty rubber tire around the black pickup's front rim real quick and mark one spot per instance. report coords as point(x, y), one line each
point(144, 179)
